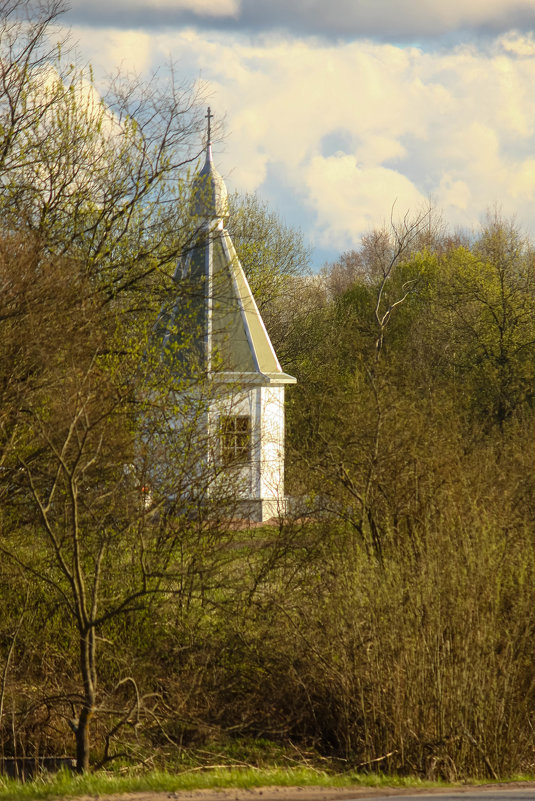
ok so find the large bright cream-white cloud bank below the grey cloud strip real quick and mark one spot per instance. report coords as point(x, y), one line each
point(349, 129)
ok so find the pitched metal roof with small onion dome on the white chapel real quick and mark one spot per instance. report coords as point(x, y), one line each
point(214, 315)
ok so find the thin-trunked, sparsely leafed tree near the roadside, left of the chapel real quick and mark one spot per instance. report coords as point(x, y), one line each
point(93, 432)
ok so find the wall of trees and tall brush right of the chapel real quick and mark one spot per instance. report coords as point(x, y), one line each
point(411, 431)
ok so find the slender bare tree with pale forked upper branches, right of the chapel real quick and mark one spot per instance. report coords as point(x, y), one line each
point(354, 421)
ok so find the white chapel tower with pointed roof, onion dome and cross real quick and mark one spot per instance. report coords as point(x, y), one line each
point(245, 420)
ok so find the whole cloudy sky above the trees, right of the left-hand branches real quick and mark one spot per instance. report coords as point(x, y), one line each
point(337, 111)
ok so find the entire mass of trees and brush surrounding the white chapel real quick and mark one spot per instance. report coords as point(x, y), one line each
point(387, 621)
